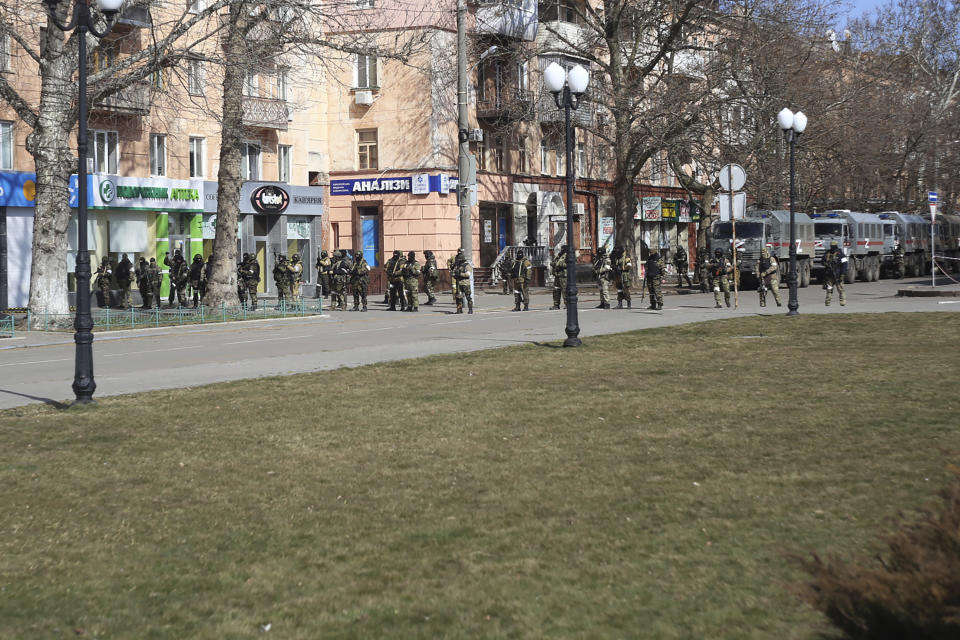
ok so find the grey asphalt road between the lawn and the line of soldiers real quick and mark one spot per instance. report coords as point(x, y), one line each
point(39, 367)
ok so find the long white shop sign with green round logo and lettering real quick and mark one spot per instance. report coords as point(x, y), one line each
point(153, 194)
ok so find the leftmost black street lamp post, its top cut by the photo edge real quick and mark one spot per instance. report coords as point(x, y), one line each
point(83, 21)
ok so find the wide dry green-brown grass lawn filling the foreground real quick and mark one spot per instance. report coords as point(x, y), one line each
point(483, 495)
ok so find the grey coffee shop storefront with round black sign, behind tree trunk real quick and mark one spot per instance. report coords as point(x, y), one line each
point(275, 219)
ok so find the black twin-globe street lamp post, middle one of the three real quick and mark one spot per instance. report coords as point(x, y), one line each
point(567, 89)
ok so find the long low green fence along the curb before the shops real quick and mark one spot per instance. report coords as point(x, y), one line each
point(114, 319)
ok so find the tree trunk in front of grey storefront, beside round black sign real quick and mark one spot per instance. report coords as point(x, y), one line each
point(222, 284)
